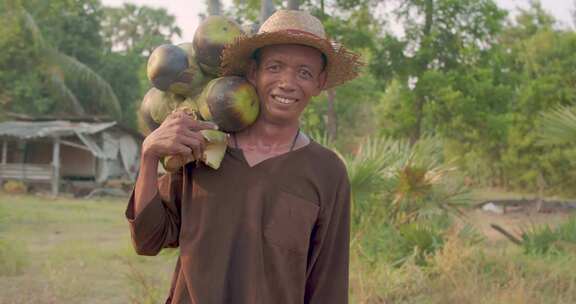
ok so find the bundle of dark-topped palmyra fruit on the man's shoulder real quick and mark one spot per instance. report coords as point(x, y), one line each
point(186, 77)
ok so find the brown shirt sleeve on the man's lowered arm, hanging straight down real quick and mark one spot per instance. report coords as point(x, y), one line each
point(327, 277)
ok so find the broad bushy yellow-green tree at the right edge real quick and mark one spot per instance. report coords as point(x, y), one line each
point(490, 112)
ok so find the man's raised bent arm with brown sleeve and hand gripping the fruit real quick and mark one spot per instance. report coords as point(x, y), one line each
point(154, 207)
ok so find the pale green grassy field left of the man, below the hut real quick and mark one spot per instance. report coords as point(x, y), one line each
point(74, 251)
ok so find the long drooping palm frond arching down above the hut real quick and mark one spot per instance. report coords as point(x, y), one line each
point(57, 67)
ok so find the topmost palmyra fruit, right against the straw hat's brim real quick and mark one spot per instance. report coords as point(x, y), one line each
point(209, 40)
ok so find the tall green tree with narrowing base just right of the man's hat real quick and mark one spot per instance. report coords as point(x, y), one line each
point(439, 36)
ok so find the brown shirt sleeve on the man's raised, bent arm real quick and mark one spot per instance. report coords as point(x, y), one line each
point(158, 225)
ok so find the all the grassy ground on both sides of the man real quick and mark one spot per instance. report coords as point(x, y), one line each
point(78, 251)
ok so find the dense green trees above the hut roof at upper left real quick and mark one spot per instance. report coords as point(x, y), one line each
point(38, 75)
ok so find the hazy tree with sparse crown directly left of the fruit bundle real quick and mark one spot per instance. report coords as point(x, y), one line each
point(130, 33)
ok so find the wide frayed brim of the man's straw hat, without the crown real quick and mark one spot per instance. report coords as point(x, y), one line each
point(341, 66)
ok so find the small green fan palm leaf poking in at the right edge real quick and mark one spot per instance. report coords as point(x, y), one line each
point(559, 126)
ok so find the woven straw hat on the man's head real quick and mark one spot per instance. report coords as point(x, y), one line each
point(292, 27)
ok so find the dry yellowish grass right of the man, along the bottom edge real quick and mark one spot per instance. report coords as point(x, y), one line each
point(469, 274)
